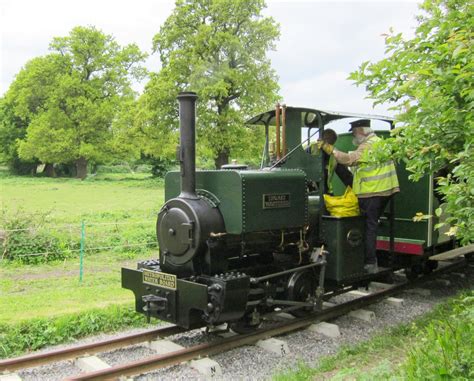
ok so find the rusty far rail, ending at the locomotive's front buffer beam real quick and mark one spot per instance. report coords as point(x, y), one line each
point(37, 359)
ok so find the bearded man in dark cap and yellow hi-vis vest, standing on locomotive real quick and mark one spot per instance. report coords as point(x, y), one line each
point(373, 184)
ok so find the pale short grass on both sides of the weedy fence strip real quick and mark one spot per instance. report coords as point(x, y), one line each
point(53, 289)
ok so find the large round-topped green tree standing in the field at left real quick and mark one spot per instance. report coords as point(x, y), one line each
point(75, 121)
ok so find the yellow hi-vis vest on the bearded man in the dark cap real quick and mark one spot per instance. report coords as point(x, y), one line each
point(370, 179)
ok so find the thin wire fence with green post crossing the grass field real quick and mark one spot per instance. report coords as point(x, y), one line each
point(46, 242)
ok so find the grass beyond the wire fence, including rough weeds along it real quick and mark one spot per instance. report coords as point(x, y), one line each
point(119, 210)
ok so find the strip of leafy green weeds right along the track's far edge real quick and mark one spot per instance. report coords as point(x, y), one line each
point(38, 333)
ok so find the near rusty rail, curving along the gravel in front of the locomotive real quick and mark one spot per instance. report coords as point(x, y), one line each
point(160, 361)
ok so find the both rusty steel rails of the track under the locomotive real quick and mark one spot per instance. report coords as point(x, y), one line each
point(164, 360)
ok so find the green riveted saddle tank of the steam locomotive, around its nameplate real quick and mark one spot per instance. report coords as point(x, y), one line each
point(241, 197)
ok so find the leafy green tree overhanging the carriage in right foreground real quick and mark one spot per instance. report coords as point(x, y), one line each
point(429, 82)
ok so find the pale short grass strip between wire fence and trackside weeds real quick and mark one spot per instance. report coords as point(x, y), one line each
point(51, 290)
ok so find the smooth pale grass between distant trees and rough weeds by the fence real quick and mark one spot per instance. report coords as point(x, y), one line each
point(69, 200)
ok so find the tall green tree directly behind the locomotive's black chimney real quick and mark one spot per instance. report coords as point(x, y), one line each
point(216, 48)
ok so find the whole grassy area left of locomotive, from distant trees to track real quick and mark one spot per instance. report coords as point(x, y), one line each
point(44, 303)
